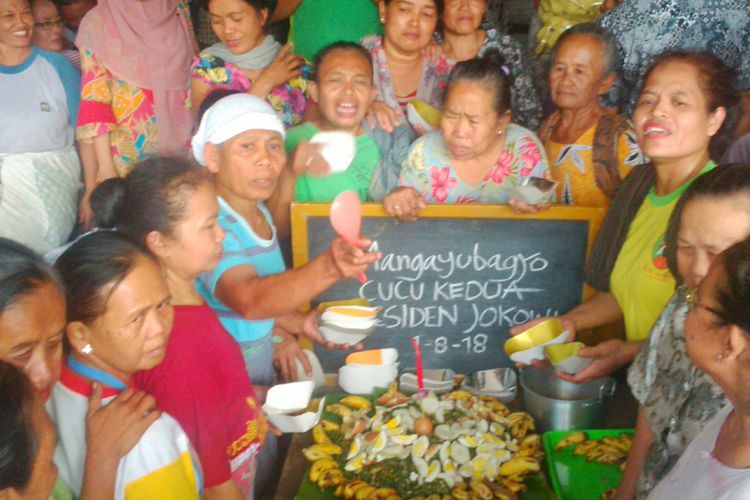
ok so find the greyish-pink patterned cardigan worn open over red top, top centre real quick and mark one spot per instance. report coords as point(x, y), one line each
point(431, 86)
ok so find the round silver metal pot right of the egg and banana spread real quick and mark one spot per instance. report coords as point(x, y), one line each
point(557, 404)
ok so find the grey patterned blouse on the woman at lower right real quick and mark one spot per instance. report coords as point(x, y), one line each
point(677, 398)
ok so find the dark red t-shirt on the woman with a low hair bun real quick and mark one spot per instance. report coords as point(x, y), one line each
point(203, 384)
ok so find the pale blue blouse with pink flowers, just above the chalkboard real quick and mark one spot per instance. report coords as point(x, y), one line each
point(429, 171)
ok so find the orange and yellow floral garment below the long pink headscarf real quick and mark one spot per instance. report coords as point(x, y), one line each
point(125, 110)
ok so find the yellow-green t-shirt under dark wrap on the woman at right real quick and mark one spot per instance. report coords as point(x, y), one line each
point(641, 281)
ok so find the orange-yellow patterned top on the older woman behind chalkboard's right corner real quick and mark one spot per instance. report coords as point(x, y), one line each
point(571, 165)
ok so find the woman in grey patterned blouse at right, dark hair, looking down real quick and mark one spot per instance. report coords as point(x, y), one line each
point(677, 399)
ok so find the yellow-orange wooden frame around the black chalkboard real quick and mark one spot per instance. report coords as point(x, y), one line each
point(301, 212)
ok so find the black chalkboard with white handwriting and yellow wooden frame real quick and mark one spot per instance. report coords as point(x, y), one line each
point(459, 277)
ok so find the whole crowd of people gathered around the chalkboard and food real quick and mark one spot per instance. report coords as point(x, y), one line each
point(145, 191)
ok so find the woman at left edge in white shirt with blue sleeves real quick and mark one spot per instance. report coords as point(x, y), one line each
point(39, 166)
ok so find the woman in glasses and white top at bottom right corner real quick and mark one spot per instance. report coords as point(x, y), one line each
point(716, 465)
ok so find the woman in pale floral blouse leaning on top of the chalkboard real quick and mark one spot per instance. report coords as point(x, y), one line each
point(477, 154)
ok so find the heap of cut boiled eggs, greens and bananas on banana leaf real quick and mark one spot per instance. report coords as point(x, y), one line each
point(459, 445)
